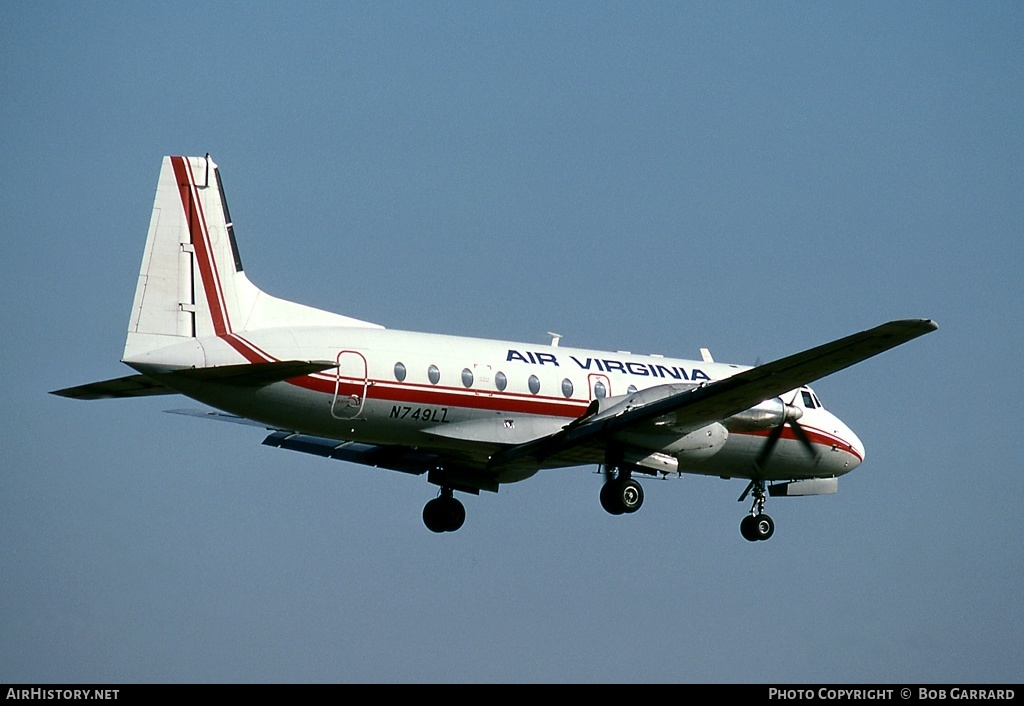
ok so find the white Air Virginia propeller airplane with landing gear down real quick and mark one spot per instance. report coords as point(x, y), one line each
point(468, 413)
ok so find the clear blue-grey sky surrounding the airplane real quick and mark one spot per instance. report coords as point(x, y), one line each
point(752, 178)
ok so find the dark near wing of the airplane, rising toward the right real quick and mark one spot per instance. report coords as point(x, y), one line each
point(692, 409)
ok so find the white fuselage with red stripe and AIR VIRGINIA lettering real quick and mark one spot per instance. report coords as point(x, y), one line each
point(471, 395)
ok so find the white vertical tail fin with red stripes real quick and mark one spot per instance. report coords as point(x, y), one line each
point(192, 284)
